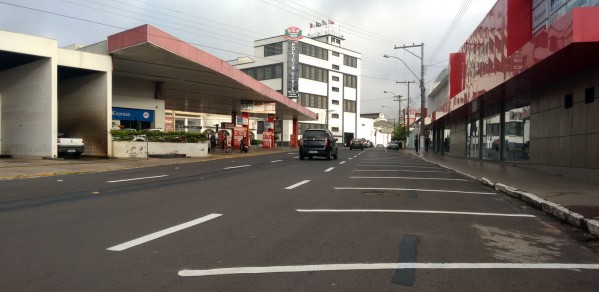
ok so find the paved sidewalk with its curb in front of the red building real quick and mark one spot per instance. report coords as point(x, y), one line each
point(575, 202)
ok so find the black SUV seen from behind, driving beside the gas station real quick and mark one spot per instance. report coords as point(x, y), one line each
point(318, 143)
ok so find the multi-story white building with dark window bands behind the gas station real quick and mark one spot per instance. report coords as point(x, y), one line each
point(314, 71)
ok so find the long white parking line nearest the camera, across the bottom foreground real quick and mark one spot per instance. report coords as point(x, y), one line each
point(385, 266)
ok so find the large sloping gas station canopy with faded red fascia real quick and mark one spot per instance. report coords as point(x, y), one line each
point(189, 79)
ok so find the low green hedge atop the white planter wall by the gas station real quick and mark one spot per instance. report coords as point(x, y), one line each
point(156, 136)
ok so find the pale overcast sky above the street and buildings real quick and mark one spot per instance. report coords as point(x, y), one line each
point(227, 29)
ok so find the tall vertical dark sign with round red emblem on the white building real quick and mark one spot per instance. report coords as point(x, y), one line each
point(293, 34)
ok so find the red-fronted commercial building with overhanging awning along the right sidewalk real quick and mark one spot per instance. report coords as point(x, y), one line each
point(523, 88)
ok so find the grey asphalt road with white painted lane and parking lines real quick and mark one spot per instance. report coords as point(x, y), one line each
point(373, 220)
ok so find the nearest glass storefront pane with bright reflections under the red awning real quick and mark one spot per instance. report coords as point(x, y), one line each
point(517, 132)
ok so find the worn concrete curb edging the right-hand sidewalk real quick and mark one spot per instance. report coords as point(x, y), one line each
point(560, 212)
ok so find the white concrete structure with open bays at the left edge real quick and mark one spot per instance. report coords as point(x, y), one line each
point(46, 90)
